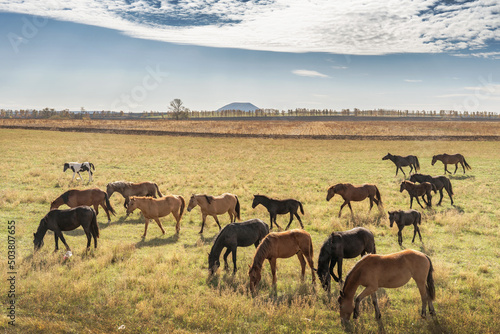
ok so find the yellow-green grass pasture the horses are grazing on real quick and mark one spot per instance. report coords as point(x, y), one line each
point(161, 284)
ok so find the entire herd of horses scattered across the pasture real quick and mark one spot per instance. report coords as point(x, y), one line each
point(372, 271)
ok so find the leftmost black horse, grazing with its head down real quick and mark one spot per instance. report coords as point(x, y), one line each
point(67, 220)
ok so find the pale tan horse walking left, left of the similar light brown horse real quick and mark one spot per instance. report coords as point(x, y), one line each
point(154, 208)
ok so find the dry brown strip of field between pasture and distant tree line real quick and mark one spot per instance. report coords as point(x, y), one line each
point(368, 130)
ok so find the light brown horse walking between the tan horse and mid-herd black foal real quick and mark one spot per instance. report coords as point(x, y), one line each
point(213, 206)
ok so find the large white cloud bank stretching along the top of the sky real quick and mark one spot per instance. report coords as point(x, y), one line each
point(346, 27)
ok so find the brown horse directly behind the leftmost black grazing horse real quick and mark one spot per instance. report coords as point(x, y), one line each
point(89, 197)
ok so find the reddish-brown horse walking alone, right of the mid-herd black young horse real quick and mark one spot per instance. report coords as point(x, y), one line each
point(355, 193)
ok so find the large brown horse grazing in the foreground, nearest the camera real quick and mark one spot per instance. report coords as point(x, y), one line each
point(387, 271)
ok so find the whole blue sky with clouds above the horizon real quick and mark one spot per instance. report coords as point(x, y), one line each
point(278, 54)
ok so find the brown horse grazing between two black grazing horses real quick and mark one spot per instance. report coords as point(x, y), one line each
point(282, 245)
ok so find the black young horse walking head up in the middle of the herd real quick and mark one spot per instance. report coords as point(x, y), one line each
point(281, 207)
